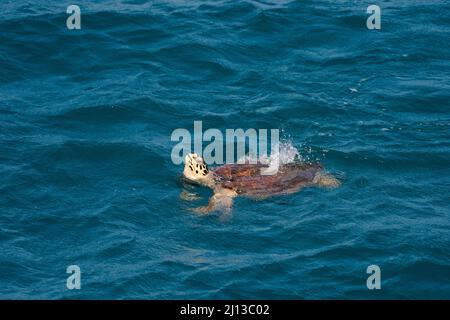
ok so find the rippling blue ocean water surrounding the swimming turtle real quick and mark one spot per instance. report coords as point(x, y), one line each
point(87, 179)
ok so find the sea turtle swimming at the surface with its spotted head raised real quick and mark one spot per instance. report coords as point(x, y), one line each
point(231, 180)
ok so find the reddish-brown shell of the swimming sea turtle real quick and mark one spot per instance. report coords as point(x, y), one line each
point(247, 179)
